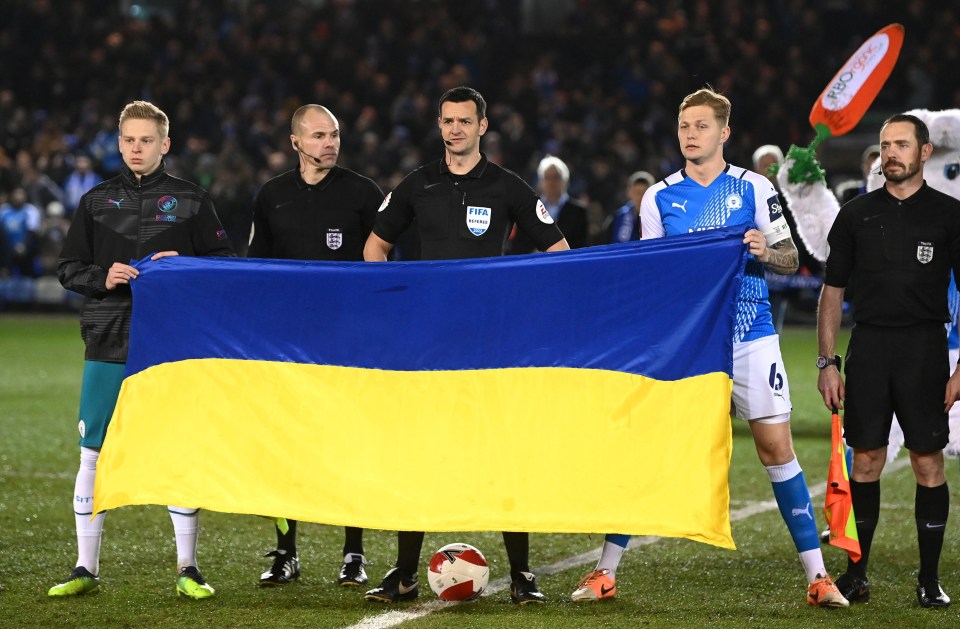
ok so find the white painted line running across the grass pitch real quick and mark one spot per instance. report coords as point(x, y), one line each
point(396, 617)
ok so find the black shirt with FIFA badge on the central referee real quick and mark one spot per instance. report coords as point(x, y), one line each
point(465, 216)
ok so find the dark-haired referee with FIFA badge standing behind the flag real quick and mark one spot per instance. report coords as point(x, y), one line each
point(465, 207)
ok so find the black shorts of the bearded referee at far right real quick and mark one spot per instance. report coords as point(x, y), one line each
point(896, 370)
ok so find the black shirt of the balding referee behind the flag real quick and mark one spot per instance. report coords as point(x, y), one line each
point(331, 220)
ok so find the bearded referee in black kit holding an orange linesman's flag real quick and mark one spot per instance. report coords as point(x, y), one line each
point(895, 248)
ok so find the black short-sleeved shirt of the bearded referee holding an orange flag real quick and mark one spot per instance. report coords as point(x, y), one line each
point(896, 256)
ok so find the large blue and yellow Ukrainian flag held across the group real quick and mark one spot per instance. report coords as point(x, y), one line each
point(583, 392)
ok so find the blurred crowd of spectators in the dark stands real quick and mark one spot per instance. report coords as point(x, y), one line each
point(595, 82)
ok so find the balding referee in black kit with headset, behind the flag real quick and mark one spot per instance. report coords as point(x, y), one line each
point(318, 211)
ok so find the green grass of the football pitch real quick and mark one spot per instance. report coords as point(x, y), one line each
point(673, 583)
